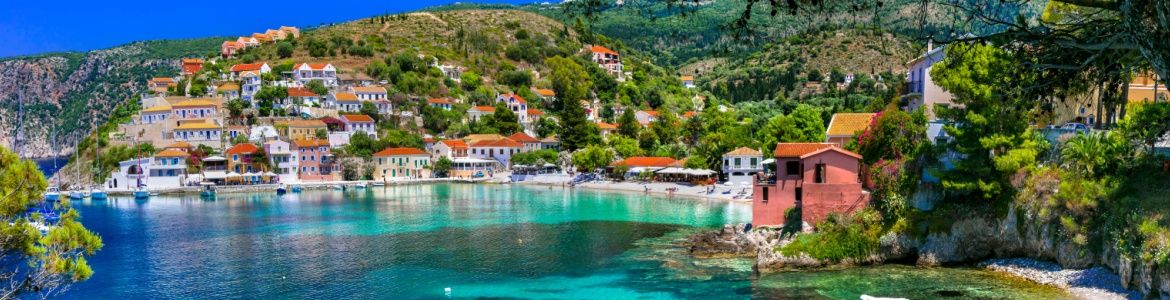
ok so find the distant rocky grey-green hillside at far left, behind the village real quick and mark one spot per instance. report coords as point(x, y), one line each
point(77, 92)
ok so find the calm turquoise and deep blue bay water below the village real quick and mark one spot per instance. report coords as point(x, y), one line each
point(477, 241)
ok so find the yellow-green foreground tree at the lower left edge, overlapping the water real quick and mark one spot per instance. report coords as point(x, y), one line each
point(38, 265)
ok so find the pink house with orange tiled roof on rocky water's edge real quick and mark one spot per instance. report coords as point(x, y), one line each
point(818, 179)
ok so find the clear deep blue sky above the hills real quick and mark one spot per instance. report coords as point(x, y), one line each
point(40, 26)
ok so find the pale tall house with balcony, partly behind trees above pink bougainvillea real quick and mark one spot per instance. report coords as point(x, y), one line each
point(921, 91)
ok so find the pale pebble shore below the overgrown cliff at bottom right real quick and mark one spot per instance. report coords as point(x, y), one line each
point(1095, 283)
